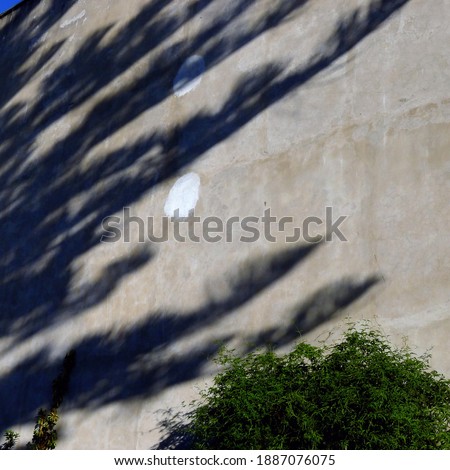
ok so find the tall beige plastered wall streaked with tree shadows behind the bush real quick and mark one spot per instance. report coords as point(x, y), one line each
point(229, 107)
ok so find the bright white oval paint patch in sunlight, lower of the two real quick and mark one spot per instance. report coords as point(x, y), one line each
point(183, 196)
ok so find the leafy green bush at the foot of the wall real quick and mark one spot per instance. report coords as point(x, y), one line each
point(358, 394)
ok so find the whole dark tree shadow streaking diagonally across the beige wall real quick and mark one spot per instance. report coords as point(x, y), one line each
point(55, 192)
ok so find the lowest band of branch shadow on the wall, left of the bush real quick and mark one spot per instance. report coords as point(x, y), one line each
point(140, 360)
